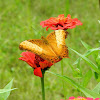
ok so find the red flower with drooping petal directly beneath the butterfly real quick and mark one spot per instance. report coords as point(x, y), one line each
point(36, 62)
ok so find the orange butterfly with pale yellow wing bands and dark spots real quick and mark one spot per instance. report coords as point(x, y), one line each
point(52, 48)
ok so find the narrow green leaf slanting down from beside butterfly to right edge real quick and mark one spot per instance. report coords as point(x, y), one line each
point(89, 62)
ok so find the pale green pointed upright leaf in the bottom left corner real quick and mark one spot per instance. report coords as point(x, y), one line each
point(4, 96)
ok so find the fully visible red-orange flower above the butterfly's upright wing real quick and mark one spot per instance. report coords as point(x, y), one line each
point(60, 22)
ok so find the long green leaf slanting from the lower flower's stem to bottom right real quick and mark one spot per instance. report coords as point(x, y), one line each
point(86, 91)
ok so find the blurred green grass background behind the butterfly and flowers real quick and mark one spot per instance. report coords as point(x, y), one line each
point(20, 20)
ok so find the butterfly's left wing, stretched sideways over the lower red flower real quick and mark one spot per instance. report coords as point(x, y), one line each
point(39, 47)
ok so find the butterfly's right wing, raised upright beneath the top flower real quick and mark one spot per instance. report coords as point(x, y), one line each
point(57, 41)
